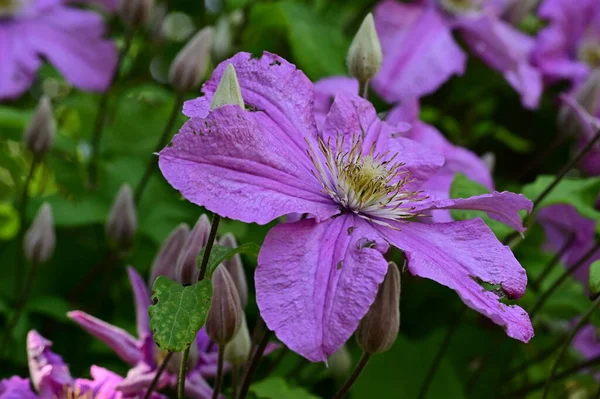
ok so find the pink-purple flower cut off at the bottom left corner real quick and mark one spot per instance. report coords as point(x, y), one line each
point(51, 379)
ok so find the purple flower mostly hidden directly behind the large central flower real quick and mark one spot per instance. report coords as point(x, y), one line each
point(458, 159)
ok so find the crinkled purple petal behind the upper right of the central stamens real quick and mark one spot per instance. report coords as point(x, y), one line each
point(351, 114)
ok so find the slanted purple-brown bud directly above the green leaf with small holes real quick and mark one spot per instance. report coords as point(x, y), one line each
point(186, 270)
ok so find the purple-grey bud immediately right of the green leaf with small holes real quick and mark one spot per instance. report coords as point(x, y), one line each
point(226, 313)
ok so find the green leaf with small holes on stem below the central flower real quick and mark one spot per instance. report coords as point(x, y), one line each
point(178, 312)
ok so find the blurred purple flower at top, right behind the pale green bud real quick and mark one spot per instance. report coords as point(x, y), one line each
point(420, 53)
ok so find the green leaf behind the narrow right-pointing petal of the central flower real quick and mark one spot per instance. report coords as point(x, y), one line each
point(463, 187)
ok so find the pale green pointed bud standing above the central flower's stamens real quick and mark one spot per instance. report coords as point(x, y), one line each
point(364, 55)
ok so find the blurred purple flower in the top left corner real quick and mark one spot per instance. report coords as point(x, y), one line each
point(71, 39)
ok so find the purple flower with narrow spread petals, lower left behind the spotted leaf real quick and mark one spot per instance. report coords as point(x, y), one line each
point(145, 356)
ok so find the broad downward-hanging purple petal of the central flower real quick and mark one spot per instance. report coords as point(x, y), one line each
point(325, 275)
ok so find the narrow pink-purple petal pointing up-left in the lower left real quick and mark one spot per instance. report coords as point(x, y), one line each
point(119, 340)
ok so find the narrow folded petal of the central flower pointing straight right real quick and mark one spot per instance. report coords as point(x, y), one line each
point(502, 206)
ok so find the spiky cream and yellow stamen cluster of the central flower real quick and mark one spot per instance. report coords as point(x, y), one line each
point(370, 185)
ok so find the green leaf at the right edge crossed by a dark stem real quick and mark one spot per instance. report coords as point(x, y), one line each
point(580, 193)
